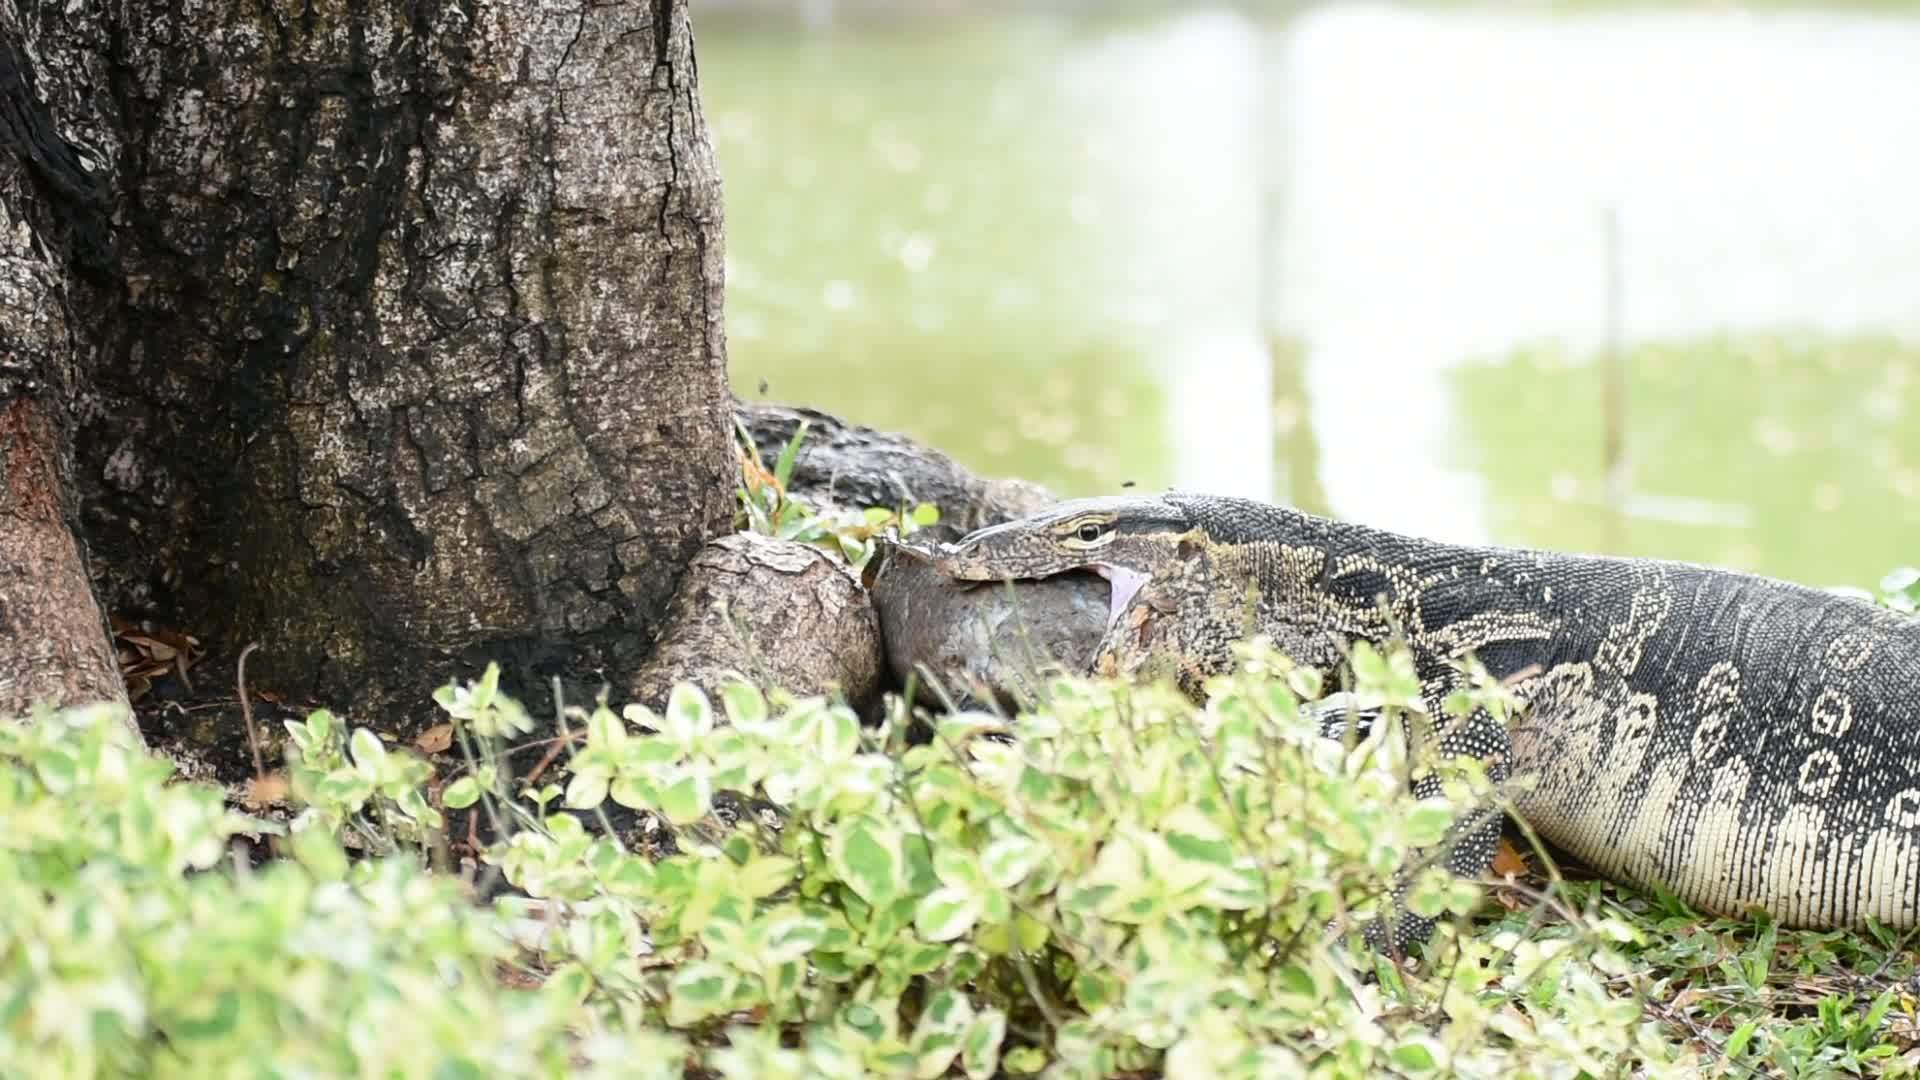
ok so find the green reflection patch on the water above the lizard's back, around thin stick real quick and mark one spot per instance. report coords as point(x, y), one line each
point(1804, 464)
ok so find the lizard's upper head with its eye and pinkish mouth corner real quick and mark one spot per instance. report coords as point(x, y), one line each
point(1124, 539)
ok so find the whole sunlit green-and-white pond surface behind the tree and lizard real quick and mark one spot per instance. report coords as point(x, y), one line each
point(1356, 260)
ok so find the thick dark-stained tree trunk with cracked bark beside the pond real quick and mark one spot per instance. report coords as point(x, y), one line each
point(410, 345)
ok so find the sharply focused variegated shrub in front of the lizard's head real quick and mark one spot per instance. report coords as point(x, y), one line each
point(1134, 883)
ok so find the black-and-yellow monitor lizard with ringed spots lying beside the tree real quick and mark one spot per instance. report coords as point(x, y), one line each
point(1740, 741)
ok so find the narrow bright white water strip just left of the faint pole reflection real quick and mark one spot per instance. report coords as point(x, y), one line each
point(1180, 103)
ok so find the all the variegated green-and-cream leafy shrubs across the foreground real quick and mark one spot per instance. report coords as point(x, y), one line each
point(1130, 885)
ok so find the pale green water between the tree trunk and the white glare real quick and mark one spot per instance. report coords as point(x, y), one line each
point(913, 243)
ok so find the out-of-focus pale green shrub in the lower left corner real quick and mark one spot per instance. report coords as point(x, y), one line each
point(130, 946)
